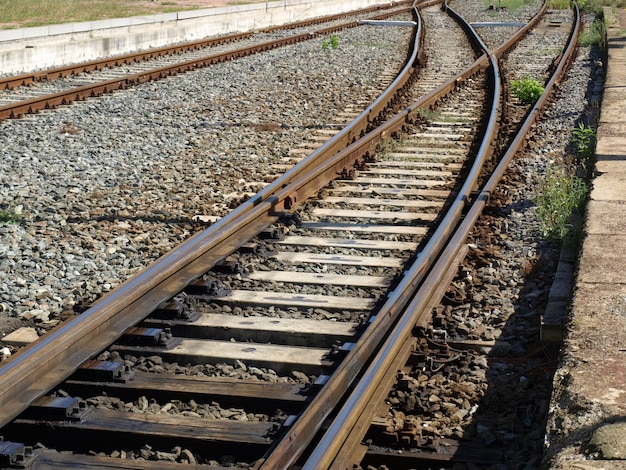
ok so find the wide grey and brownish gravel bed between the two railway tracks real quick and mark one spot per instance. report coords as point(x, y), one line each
point(104, 187)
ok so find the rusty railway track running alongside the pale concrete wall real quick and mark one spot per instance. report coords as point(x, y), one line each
point(32, 92)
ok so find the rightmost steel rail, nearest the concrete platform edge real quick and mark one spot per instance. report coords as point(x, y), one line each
point(360, 401)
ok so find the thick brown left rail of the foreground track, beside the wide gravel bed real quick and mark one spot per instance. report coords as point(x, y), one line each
point(36, 369)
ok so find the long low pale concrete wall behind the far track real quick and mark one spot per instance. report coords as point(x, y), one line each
point(28, 49)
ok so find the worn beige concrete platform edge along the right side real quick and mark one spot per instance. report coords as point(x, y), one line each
point(587, 415)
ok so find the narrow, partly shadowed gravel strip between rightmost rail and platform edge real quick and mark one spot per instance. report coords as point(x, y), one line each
point(510, 273)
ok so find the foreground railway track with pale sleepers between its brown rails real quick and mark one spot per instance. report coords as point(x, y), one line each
point(252, 283)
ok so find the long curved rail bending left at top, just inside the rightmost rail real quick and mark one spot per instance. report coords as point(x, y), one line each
point(391, 311)
